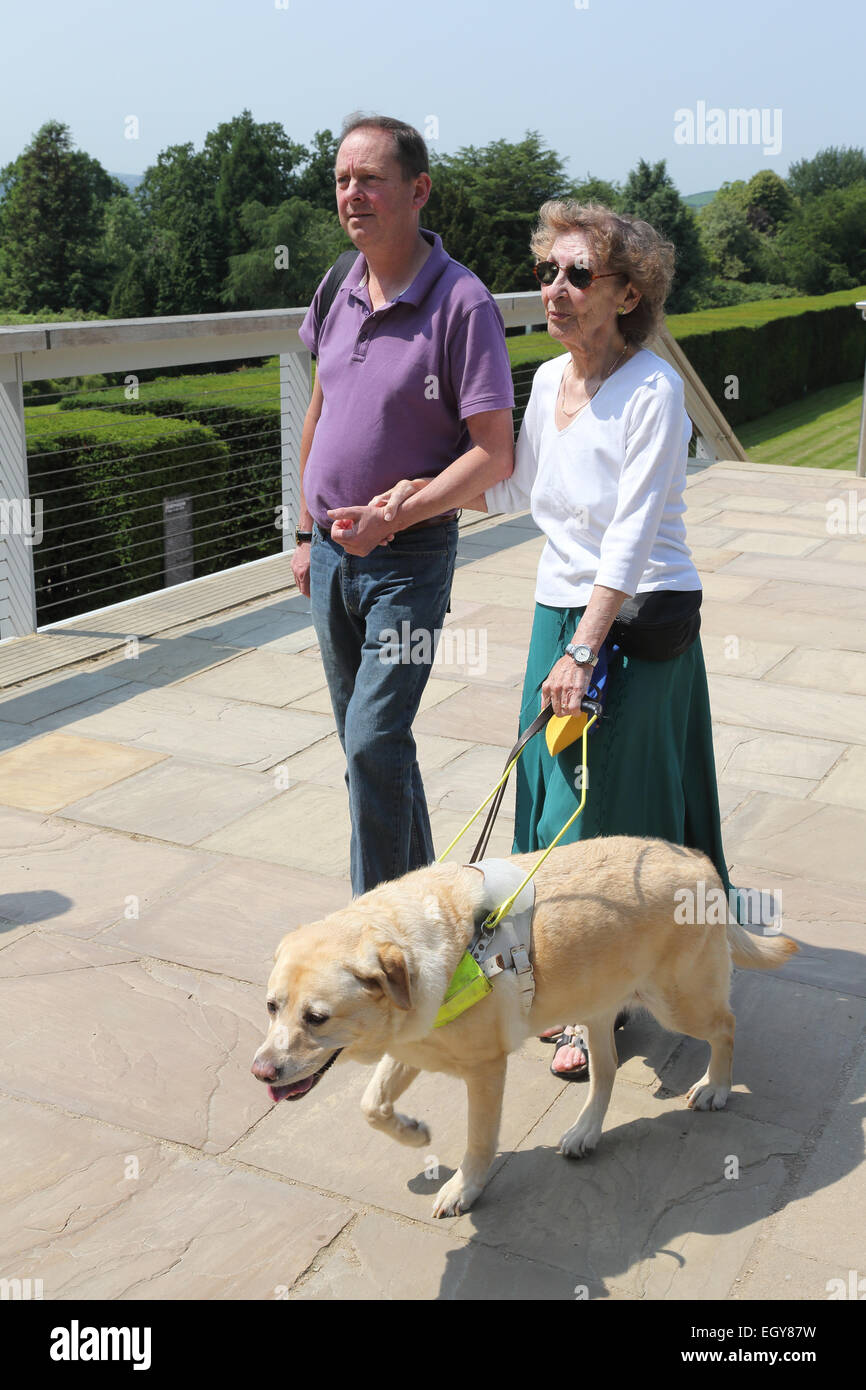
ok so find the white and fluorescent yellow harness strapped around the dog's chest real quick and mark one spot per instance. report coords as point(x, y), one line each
point(491, 953)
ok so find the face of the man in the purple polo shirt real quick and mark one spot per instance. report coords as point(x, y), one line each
point(376, 205)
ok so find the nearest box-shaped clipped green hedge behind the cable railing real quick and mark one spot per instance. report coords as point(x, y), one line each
point(102, 477)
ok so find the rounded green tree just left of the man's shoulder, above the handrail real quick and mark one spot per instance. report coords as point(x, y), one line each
point(291, 248)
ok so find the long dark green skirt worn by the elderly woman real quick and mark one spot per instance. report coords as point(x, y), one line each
point(651, 768)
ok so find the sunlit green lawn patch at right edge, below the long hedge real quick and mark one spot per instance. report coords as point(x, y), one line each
point(821, 432)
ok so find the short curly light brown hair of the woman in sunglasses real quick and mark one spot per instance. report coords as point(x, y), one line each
point(622, 244)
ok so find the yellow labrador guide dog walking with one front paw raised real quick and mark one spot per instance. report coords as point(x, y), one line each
point(368, 983)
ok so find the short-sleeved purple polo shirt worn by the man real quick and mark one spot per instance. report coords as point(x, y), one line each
point(400, 383)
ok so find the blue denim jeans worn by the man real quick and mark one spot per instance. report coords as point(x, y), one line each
point(365, 612)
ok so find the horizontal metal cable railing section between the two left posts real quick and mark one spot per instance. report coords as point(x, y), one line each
point(147, 504)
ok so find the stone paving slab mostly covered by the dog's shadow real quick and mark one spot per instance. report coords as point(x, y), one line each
point(650, 1213)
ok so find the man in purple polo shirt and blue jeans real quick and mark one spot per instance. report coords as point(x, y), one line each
point(414, 382)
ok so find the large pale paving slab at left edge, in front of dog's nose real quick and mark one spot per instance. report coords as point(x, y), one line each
point(154, 1049)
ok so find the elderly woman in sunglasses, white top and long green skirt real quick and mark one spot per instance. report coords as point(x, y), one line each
point(601, 464)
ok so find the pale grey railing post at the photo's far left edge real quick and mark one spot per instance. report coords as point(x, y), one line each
point(17, 532)
